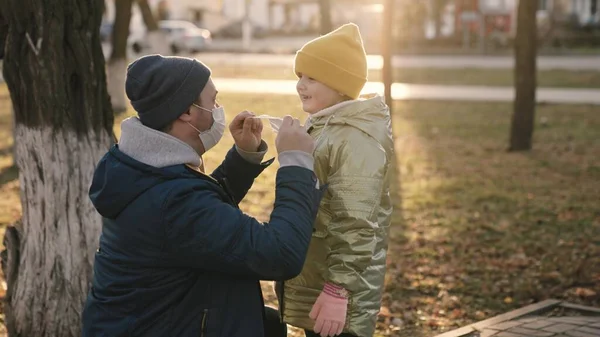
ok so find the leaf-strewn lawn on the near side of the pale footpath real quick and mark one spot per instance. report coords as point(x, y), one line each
point(478, 231)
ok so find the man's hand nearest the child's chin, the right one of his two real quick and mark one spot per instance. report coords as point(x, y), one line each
point(292, 136)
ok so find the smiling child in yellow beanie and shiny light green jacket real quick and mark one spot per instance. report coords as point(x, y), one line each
point(340, 287)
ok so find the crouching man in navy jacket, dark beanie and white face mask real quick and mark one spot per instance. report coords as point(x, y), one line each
point(177, 257)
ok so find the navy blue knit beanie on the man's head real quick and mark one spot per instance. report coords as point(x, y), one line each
point(161, 88)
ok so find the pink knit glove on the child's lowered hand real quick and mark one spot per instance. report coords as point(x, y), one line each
point(329, 311)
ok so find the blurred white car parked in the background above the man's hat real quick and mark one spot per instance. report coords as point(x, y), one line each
point(181, 36)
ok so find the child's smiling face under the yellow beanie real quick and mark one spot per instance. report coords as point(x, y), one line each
point(316, 96)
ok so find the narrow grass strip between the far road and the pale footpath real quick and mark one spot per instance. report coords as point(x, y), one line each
point(469, 76)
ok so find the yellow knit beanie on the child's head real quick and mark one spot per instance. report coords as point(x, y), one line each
point(337, 60)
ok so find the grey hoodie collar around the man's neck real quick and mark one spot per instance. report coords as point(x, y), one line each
point(153, 147)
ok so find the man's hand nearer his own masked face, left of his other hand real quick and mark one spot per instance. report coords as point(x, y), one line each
point(246, 131)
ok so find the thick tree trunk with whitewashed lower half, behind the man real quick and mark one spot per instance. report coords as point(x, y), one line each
point(54, 68)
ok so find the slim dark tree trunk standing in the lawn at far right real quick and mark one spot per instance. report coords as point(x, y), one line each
point(525, 77)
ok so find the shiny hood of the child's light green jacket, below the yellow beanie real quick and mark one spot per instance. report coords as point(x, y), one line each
point(369, 114)
